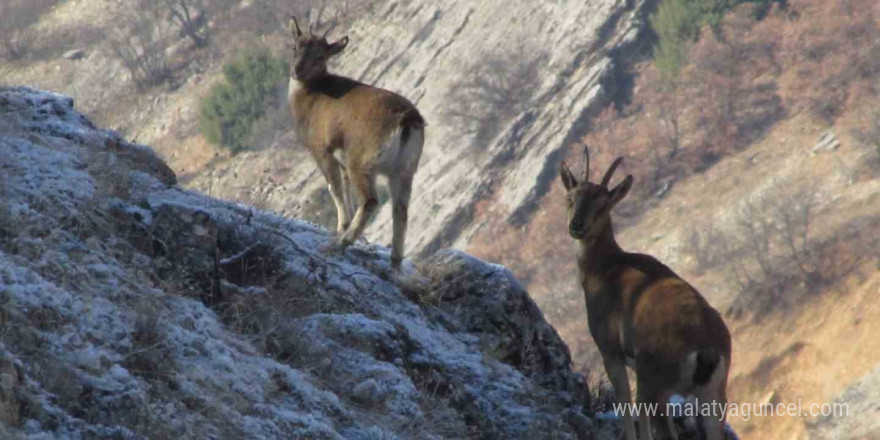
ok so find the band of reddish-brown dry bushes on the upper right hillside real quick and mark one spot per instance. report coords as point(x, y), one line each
point(819, 57)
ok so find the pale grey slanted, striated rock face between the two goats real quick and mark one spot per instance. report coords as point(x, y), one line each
point(449, 39)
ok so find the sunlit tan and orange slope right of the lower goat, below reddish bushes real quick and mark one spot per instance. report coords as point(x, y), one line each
point(811, 342)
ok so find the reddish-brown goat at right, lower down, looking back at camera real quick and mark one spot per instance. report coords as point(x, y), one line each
point(643, 315)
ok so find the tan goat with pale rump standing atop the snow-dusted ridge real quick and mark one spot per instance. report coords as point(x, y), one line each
point(355, 132)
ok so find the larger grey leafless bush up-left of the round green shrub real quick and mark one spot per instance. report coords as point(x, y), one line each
point(140, 42)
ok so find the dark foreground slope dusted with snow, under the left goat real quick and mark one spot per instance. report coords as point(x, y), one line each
point(130, 308)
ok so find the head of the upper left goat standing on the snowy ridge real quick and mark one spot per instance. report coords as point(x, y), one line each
point(311, 52)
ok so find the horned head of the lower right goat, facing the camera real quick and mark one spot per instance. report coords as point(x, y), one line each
point(589, 204)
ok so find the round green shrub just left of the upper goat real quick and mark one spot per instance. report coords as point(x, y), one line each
point(230, 110)
